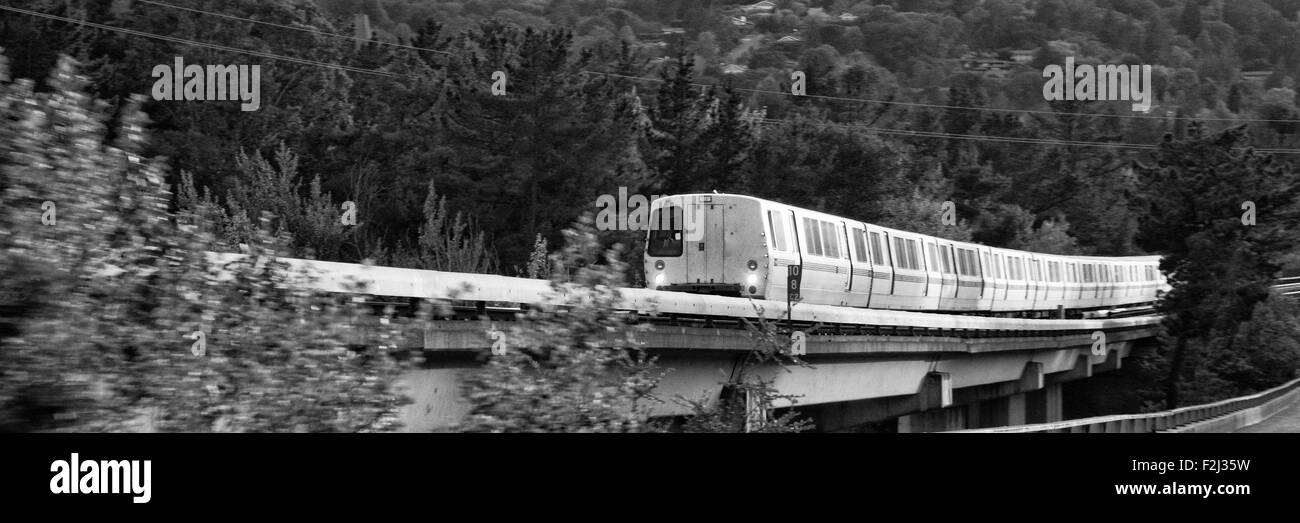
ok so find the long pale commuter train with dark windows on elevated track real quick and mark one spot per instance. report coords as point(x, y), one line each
point(746, 247)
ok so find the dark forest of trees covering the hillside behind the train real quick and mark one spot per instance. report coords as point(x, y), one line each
point(668, 97)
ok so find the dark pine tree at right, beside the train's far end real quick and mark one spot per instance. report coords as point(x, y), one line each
point(1220, 263)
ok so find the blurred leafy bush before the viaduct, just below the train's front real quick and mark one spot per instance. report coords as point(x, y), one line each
point(574, 366)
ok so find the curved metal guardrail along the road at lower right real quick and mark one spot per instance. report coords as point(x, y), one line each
point(1154, 422)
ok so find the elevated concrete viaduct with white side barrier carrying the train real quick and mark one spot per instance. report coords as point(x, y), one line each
point(926, 371)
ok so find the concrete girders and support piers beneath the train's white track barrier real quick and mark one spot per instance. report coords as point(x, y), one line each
point(929, 383)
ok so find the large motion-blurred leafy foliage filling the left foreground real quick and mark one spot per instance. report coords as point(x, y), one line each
point(103, 302)
